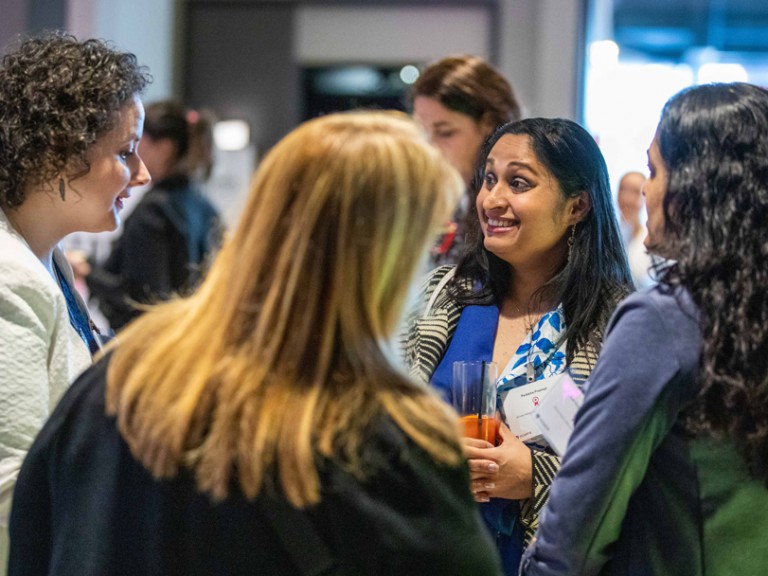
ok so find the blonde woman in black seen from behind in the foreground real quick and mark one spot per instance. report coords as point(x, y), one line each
point(257, 422)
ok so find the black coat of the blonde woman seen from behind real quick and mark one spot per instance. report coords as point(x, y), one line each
point(84, 506)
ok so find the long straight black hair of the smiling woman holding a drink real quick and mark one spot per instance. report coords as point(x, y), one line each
point(596, 272)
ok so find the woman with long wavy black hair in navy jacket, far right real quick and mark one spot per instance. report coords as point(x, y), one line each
point(677, 408)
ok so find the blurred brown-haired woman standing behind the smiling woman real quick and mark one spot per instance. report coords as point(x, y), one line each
point(460, 100)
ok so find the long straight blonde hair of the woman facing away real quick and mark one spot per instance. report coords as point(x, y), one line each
point(281, 354)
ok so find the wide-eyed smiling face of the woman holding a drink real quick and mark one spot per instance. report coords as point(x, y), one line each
point(523, 213)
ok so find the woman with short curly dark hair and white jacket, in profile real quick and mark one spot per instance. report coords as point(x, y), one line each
point(70, 123)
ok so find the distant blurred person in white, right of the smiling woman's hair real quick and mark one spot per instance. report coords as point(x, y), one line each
point(633, 232)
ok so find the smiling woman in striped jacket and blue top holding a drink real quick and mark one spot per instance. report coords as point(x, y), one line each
point(545, 271)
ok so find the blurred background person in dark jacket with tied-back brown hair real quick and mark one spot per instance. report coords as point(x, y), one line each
point(171, 233)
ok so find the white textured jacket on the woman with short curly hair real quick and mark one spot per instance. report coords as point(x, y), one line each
point(40, 352)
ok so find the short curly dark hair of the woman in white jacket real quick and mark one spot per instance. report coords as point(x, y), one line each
point(57, 96)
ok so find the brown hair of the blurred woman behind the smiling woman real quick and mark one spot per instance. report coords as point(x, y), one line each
point(471, 86)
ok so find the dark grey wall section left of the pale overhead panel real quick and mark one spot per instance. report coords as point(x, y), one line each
point(239, 55)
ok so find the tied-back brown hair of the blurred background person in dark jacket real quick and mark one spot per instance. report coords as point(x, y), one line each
point(191, 131)
